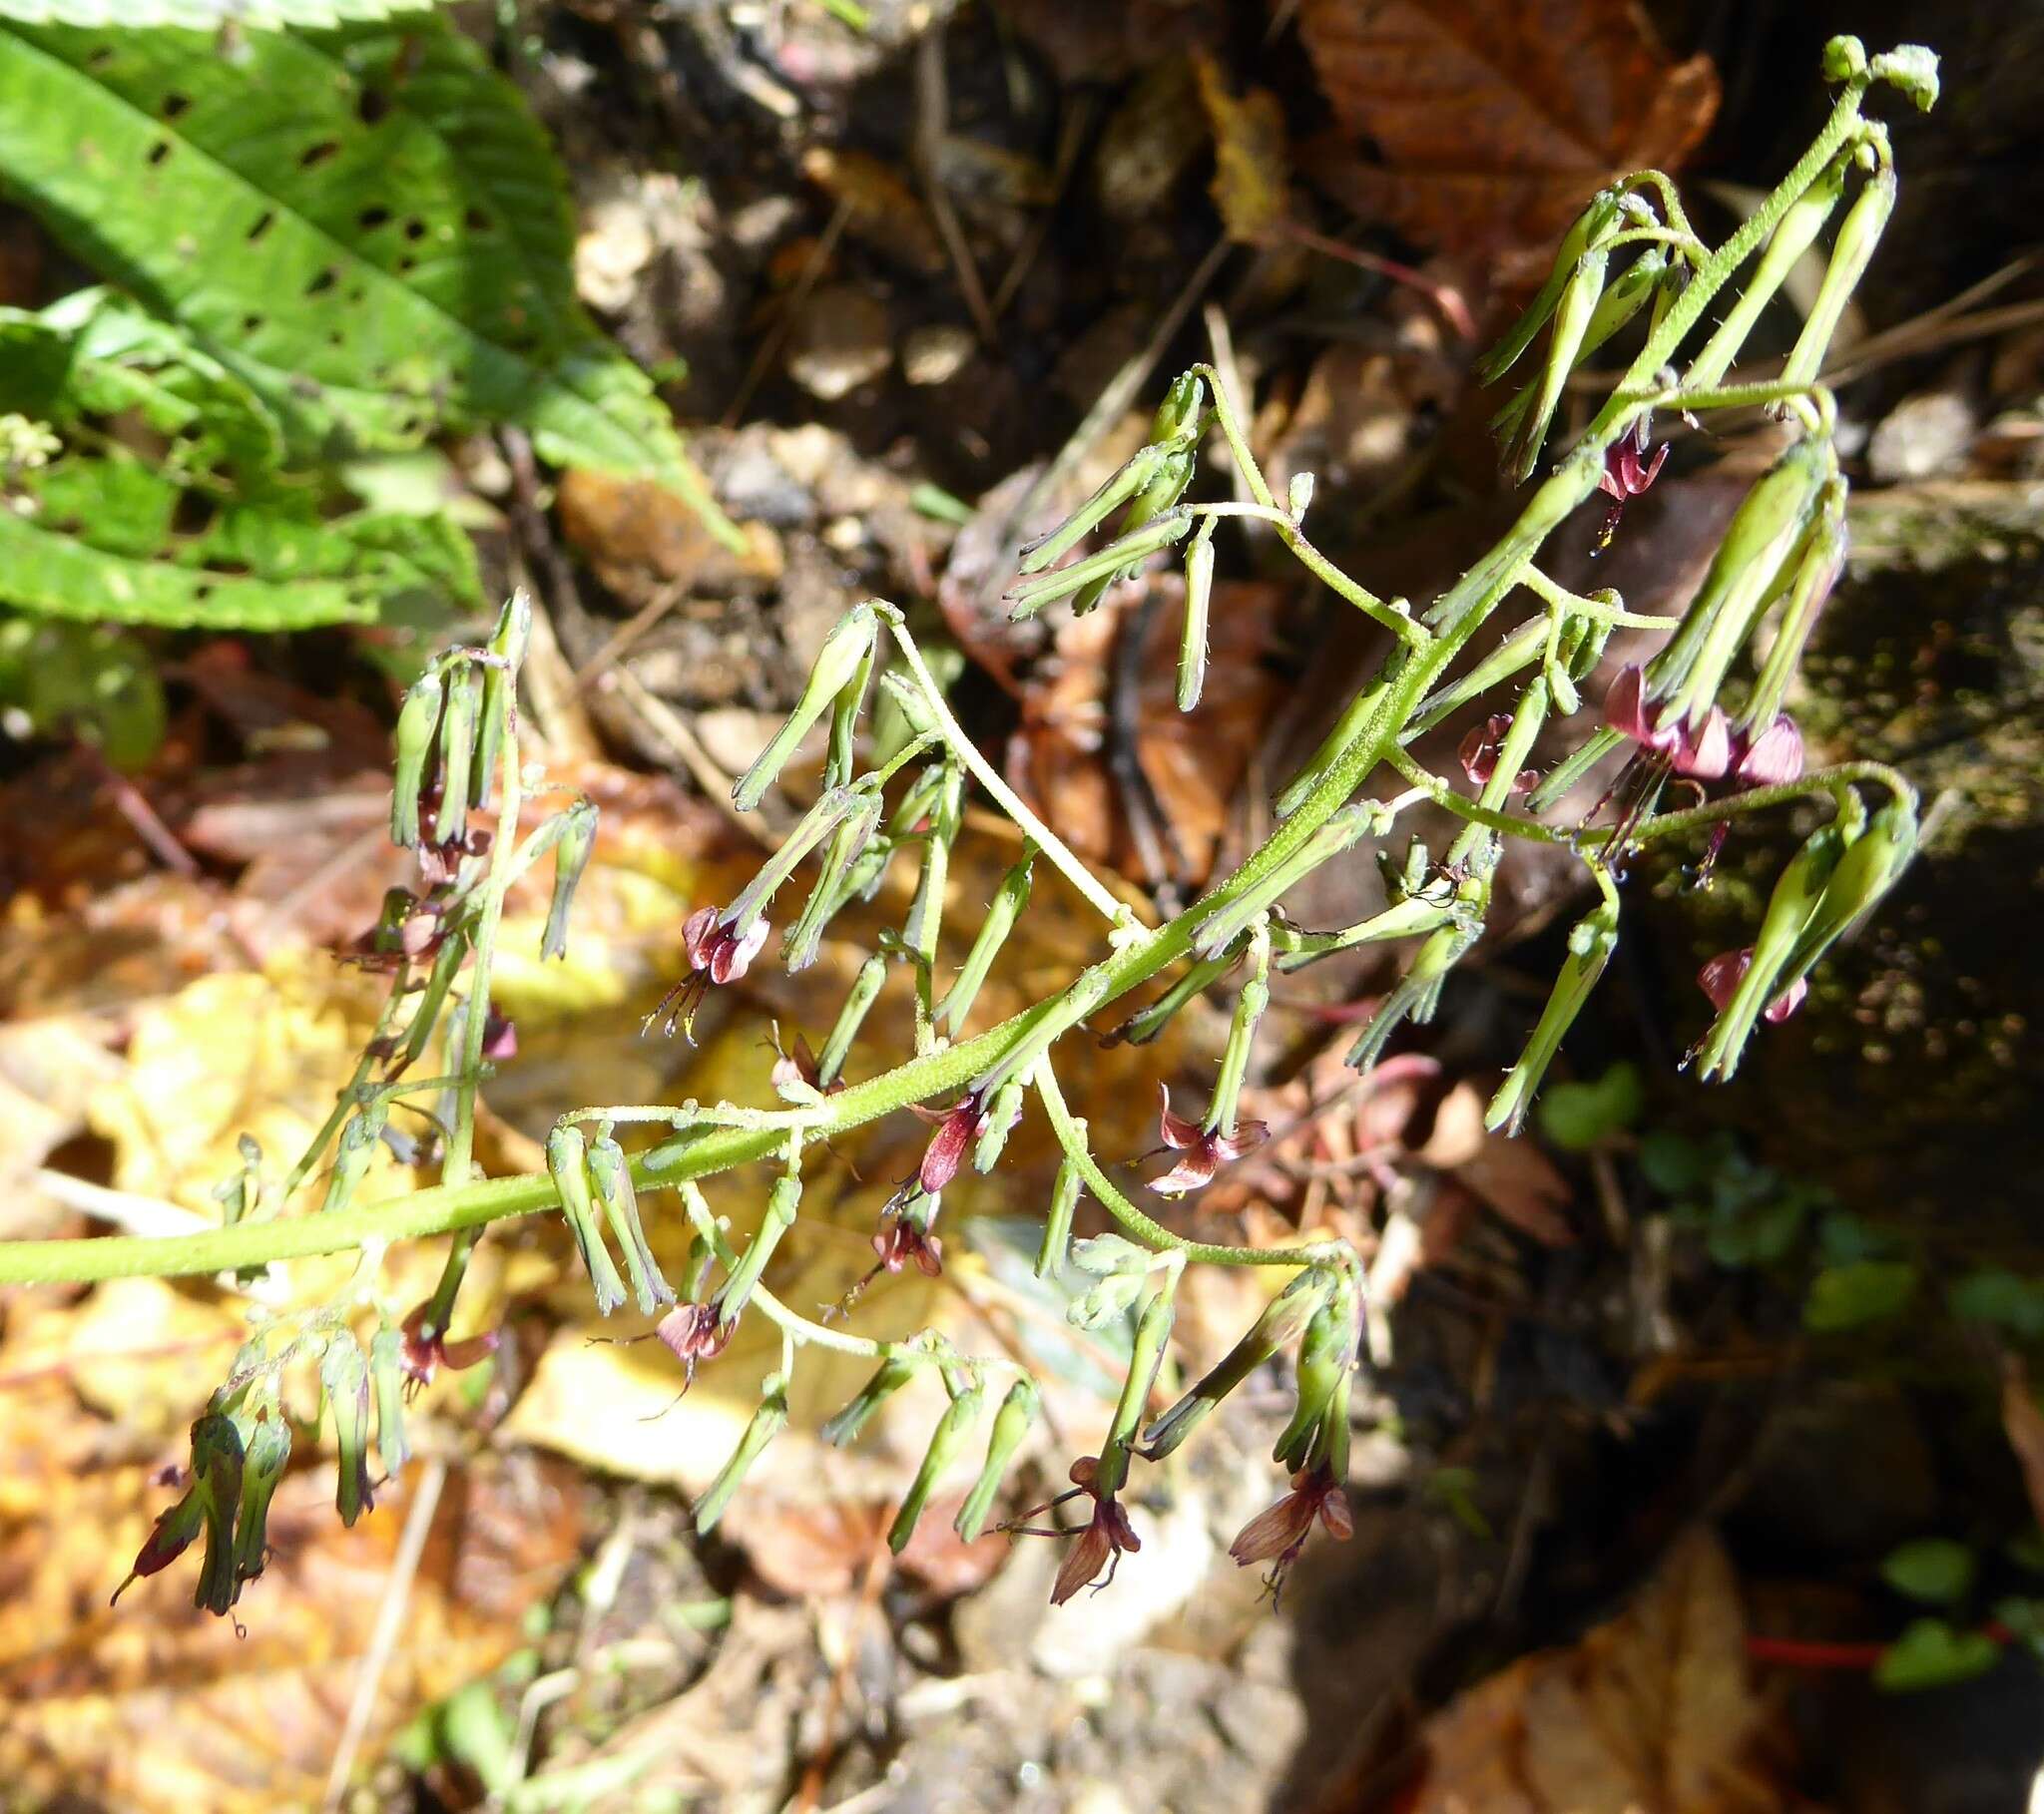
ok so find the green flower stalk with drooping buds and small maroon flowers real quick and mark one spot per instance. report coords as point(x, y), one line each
point(1685, 714)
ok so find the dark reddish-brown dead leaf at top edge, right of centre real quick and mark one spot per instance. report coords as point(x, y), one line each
point(1495, 122)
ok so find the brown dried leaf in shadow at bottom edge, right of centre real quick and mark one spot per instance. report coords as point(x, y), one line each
point(1648, 1715)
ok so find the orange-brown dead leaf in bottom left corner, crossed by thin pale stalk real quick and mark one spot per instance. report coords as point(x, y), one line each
point(158, 1707)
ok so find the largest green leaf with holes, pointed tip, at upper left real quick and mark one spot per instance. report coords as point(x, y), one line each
point(367, 226)
